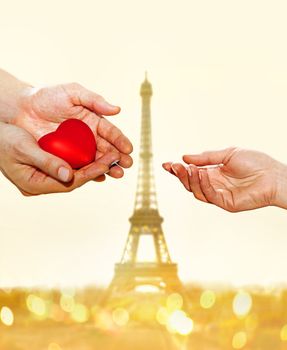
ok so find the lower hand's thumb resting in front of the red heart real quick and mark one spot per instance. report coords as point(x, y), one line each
point(47, 163)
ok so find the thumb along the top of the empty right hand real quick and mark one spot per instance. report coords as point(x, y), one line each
point(210, 157)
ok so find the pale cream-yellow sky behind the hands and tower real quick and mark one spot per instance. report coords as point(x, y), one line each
point(219, 75)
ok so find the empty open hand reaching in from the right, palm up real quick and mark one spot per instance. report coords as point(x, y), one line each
point(234, 179)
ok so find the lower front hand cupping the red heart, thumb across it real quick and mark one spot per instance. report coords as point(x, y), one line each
point(35, 171)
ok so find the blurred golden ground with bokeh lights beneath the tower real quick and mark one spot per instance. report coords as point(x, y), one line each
point(216, 326)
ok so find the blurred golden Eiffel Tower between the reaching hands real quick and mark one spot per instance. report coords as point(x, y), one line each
point(146, 221)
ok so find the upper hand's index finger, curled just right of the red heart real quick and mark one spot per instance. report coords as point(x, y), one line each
point(114, 136)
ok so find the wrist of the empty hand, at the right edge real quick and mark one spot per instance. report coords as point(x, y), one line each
point(280, 192)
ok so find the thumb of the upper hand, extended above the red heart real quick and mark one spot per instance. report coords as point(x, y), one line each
point(83, 97)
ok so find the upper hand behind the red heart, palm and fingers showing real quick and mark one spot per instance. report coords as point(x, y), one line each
point(42, 110)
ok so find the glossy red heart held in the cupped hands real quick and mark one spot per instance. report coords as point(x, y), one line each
point(73, 141)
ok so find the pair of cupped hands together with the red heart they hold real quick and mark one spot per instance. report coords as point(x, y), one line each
point(41, 111)
